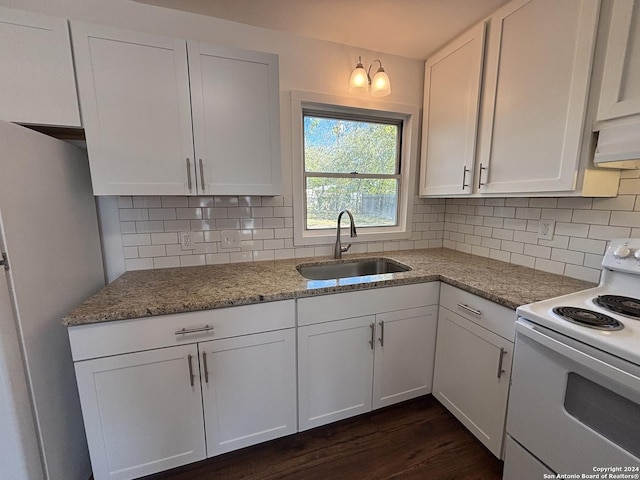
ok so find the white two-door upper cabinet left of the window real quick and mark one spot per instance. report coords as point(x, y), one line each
point(138, 93)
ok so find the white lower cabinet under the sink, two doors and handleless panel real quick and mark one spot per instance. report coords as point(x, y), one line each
point(364, 350)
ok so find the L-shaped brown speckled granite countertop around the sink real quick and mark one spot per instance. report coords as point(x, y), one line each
point(146, 293)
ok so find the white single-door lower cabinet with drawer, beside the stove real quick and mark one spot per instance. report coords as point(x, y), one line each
point(473, 363)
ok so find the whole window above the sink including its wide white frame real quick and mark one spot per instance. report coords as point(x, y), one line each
point(355, 156)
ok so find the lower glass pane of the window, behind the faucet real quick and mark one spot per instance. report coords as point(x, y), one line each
point(372, 201)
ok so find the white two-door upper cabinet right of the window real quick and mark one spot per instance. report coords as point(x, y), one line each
point(530, 77)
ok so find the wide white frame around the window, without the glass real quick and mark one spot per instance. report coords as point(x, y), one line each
point(372, 109)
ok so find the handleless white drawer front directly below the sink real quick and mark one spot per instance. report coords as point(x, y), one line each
point(327, 308)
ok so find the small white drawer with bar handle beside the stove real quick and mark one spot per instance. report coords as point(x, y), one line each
point(496, 318)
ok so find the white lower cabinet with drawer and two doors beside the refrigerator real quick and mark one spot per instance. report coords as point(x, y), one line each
point(159, 408)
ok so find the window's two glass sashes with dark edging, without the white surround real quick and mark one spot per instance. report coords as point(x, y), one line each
point(350, 162)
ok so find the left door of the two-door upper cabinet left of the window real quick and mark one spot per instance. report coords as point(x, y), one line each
point(134, 97)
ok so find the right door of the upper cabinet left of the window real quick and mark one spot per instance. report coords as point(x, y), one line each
point(235, 97)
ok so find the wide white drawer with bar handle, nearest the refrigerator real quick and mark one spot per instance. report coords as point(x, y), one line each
point(113, 338)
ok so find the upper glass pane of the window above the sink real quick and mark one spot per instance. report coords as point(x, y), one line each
point(335, 145)
